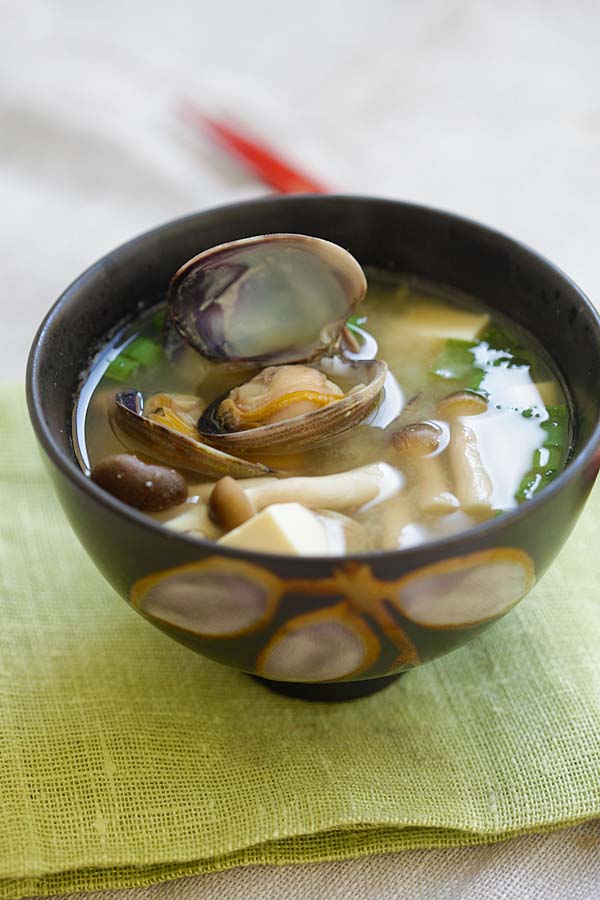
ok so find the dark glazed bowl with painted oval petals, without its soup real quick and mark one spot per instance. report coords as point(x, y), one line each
point(326, 628)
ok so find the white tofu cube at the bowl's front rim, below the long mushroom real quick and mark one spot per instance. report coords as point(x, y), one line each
point(283, 528)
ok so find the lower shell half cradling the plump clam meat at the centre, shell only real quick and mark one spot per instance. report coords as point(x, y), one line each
point(302, 431)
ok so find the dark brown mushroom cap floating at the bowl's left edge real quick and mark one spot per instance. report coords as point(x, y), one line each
point(149, 488)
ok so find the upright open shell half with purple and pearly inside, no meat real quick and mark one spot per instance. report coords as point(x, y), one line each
point(275, 298)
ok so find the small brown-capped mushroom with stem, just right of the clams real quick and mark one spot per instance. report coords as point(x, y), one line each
point(414, 445)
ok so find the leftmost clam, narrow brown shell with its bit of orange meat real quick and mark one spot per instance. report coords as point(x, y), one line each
point(165, 431)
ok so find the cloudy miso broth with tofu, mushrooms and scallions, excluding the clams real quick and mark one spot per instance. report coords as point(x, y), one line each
point(472, 421)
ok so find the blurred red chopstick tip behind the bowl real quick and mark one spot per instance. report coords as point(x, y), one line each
point(263, 160)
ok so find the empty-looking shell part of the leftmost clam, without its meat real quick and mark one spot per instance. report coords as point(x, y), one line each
point(177, 448)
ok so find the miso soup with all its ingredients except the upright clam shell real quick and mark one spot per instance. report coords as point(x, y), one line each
point(469, 420)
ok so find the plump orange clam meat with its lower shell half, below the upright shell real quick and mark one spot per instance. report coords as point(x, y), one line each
point(287, 408)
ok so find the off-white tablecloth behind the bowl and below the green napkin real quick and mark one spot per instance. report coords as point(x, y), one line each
point(488, 110)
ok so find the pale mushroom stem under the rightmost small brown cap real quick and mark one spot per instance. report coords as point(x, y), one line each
point(472, 483)
